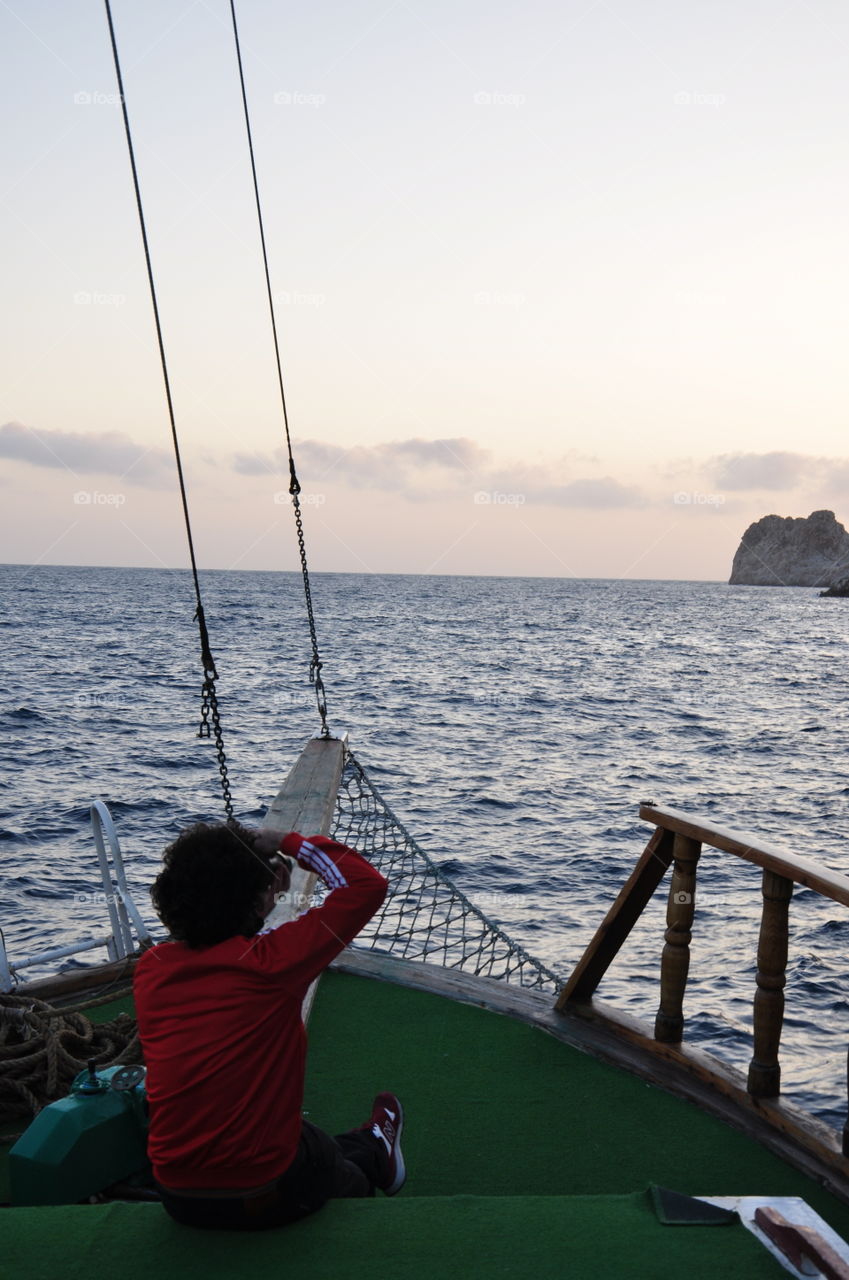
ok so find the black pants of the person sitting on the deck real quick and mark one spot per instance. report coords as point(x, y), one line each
point(323, 1169)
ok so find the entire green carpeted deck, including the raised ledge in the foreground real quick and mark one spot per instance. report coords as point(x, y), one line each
point(526, 1158)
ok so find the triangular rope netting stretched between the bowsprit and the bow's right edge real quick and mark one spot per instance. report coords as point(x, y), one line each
point(424, 917)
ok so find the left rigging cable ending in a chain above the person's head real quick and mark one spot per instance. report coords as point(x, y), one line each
point(209, 697)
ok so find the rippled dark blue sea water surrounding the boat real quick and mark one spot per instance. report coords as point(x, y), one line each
point(513, 724)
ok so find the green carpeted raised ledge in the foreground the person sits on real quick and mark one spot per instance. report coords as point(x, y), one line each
point(522, 1238)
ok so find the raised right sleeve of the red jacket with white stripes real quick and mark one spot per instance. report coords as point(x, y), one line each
point(302, 949)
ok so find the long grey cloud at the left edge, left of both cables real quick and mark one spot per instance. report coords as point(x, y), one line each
point(97, 454)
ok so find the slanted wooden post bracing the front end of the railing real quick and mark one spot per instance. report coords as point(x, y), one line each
point(620, 920)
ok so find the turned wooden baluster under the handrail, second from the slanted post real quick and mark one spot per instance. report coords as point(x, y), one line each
point(765, 1073)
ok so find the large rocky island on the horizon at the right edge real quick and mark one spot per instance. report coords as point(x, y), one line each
point(783, 551)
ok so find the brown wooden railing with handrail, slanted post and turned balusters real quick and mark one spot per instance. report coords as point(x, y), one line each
point(678, 840)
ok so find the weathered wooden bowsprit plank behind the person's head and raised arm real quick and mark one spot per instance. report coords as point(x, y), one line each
point(305, 803)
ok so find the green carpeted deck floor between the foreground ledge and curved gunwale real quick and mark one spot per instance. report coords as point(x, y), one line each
point(496, 1108)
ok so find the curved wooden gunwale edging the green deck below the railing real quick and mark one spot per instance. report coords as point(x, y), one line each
point(602, 1032)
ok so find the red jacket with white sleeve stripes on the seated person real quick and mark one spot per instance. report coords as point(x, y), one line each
point(222, 1034)
